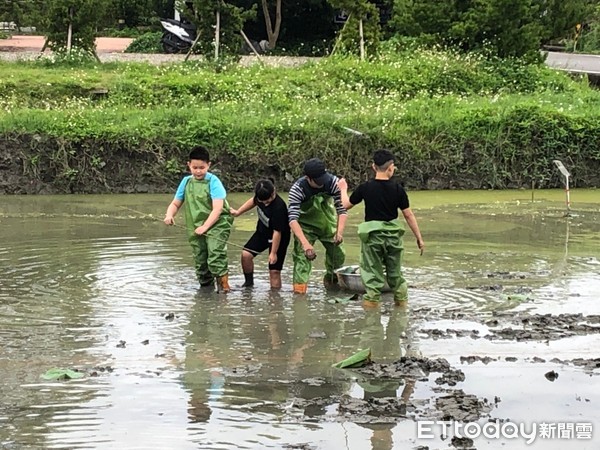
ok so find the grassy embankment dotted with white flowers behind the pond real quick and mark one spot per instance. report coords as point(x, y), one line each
point(456, 121)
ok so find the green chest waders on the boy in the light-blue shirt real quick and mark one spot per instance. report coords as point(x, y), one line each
point(210, 249)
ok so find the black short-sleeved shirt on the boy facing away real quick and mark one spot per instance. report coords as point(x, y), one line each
point(382, 199)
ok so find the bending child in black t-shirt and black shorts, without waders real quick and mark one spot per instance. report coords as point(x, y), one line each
point(272, 232)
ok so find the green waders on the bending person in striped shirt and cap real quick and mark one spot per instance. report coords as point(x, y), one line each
point(318, 220)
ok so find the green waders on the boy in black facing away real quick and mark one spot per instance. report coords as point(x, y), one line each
point(381, 253)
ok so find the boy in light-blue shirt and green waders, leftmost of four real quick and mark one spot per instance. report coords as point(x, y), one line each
point(207, 218)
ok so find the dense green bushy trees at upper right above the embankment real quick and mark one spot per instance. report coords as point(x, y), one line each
point(511, 28)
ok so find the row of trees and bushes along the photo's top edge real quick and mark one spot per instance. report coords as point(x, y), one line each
point(507, 28)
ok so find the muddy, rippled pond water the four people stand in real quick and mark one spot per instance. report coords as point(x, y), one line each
point(89, 285)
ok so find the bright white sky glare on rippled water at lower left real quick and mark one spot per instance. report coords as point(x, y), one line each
point(134, 351)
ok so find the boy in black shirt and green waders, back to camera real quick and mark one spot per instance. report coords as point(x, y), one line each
point(381, 233)
